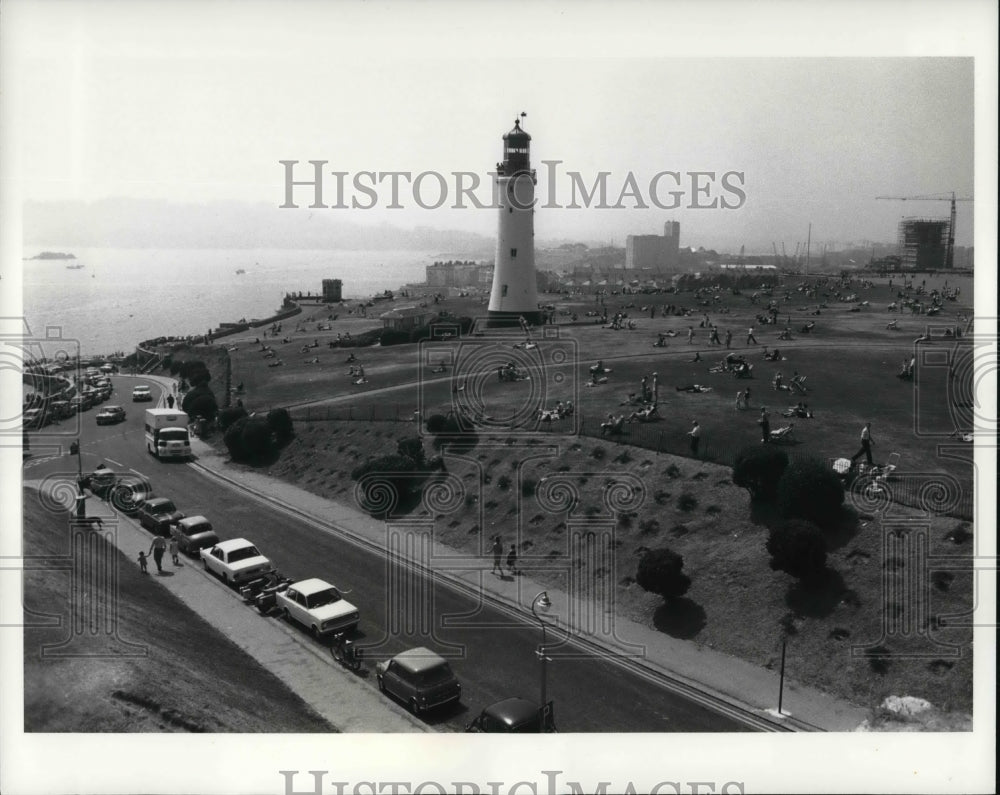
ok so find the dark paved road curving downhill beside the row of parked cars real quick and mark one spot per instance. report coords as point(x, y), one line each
point(493, 655)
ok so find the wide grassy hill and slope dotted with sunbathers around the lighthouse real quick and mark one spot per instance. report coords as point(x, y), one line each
point(736, 604)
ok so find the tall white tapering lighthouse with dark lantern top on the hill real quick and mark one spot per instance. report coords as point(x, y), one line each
point(515, 293)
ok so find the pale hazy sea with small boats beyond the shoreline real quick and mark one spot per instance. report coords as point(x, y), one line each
point(123, 296)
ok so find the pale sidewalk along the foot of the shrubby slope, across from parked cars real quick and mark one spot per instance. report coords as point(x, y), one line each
point(728, 679)
